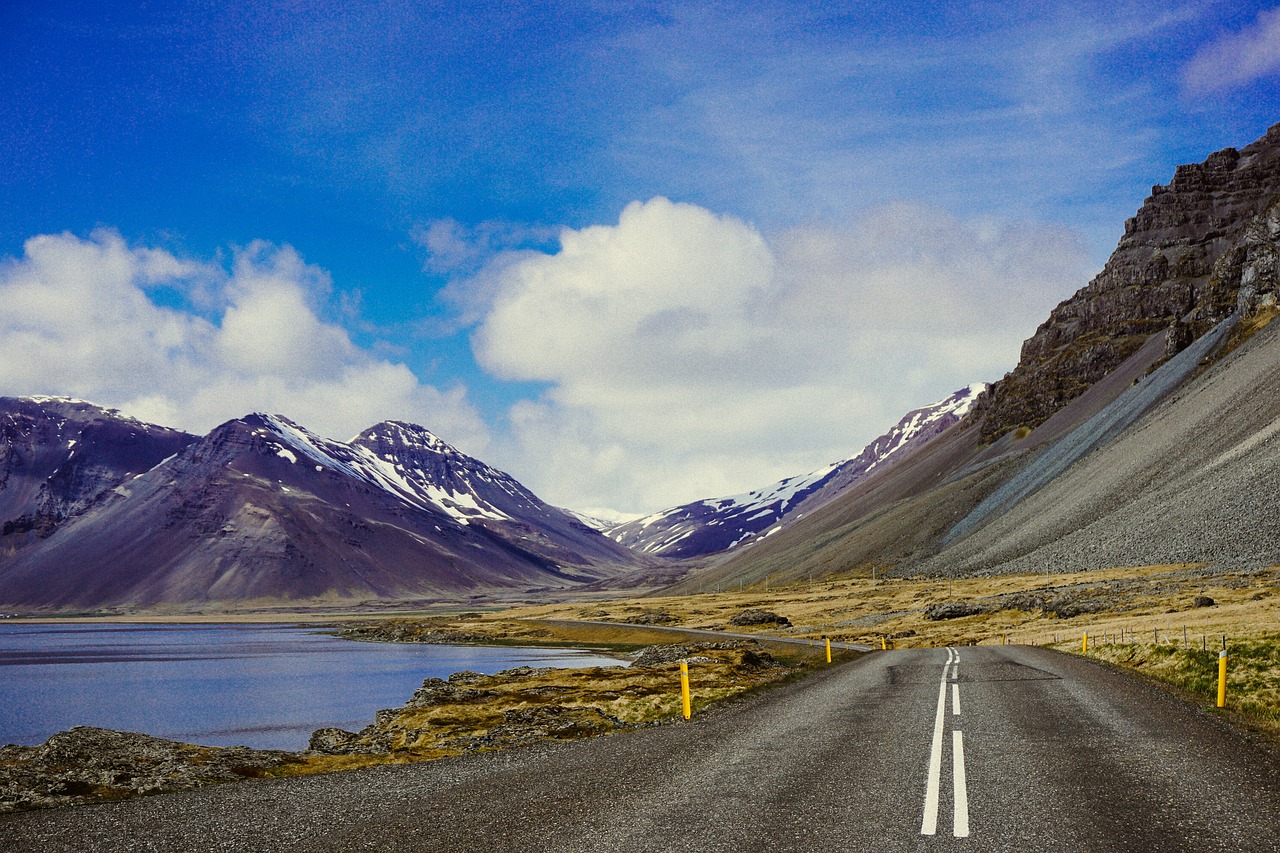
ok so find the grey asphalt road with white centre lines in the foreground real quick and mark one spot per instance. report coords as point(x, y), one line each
point(989, 749)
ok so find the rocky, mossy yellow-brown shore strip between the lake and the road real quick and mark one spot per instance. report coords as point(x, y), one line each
point(468, 713)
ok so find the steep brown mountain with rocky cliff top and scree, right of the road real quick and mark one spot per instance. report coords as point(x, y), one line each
point(1139, 427)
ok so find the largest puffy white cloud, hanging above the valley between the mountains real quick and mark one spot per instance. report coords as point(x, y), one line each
point(689, 355)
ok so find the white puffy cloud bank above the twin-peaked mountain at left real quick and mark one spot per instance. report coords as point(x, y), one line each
point(81, 320)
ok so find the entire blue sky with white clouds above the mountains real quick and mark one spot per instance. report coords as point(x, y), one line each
point(633, 253)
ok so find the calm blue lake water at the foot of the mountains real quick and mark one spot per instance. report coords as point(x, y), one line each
point(260, 686)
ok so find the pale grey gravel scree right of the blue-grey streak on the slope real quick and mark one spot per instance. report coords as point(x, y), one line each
point(1194, 481)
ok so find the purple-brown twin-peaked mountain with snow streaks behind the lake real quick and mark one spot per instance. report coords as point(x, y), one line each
point(263, 512)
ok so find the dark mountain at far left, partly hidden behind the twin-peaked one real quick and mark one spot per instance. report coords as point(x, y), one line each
point(60, 455)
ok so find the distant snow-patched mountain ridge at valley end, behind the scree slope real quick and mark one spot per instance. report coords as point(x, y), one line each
point(720, 524)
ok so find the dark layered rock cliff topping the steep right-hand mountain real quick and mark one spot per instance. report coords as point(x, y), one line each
point(1199, 249)
